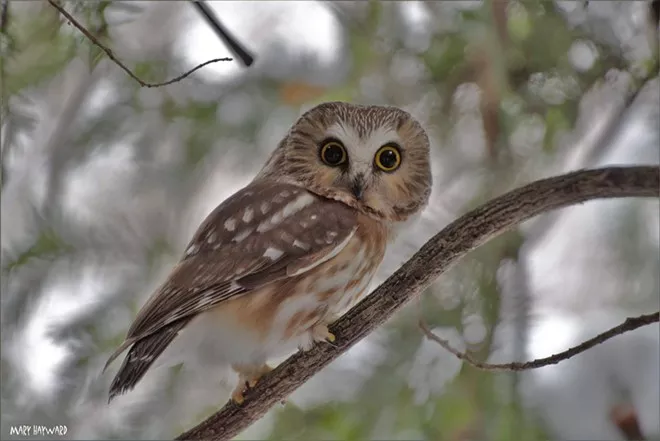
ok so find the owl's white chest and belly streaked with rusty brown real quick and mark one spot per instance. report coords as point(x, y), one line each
point(281, 315)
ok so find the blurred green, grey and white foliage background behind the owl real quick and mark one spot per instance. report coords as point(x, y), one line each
point(104, 182)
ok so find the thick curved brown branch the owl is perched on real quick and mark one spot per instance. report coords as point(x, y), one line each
point(433, 259)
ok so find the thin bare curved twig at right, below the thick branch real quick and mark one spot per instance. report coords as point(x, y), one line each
point(630, 324)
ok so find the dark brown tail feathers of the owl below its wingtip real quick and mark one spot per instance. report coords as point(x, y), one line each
point(141, 356)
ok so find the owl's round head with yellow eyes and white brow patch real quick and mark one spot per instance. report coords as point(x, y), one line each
point(373, 158)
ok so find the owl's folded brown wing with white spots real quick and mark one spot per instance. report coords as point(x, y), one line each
point(263, 233)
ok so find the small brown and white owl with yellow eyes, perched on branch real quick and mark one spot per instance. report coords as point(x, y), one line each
point(277, 262)
